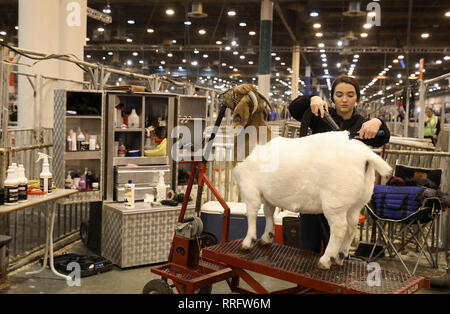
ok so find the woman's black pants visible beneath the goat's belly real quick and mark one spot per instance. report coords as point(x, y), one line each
point(314, 230)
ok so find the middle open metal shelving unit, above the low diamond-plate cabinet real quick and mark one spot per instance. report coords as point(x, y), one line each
point(152, 109)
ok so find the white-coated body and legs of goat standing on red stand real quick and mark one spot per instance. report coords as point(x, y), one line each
point(323, 173)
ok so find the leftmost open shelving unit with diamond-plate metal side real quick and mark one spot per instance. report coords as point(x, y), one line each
point(90, 107)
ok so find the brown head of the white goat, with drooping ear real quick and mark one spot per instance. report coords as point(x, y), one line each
point(245, 101)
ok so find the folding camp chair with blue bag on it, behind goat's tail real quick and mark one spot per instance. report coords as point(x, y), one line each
point(418, 226)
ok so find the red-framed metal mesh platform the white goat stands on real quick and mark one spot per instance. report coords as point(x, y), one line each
point(299, 267)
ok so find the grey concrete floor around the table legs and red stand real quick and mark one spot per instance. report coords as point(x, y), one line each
point(118, 281)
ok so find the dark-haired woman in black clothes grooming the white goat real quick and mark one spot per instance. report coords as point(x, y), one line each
point(309, 110)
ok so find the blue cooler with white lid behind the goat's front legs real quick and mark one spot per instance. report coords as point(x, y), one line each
point(212, 217)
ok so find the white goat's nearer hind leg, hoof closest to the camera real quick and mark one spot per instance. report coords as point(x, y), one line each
point(338, 228)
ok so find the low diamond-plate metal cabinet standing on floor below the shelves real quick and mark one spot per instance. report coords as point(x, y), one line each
point(139, 236)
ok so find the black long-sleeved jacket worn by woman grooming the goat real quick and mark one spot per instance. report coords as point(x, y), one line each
point(300, 110)
